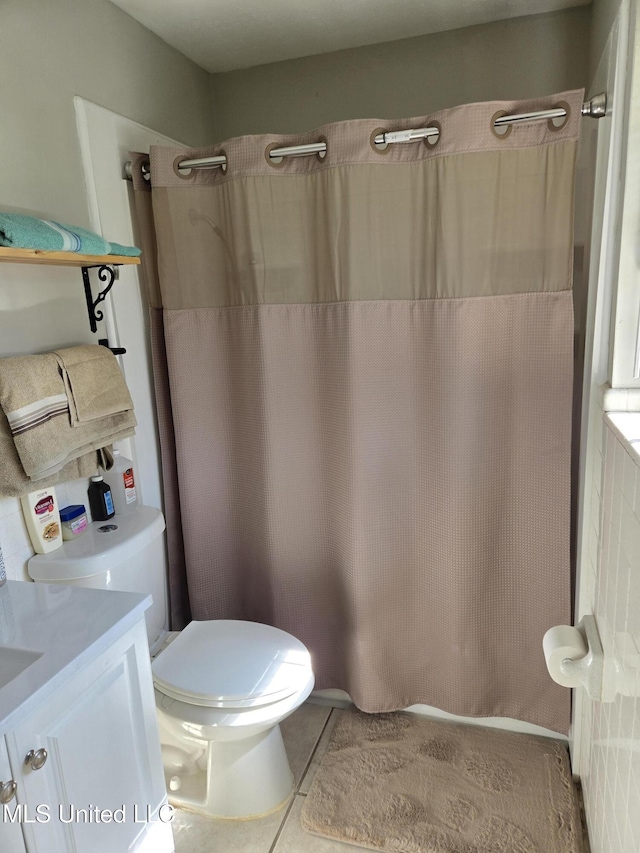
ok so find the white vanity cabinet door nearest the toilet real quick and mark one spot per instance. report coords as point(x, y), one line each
point(102, 784)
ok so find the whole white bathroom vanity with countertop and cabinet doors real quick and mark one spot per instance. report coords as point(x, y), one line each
point(80, 762)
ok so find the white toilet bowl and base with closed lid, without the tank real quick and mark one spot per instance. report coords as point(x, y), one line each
point(222, 689)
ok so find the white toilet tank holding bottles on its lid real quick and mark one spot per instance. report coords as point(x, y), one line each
point(125, 553)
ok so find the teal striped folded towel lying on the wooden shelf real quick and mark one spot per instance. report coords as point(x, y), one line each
point(27, 232)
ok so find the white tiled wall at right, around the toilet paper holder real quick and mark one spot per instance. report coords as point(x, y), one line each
point(610, 741)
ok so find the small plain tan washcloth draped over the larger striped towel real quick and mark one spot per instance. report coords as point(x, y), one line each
point(93, 383)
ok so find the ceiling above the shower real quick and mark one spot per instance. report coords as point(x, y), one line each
point(223, 35)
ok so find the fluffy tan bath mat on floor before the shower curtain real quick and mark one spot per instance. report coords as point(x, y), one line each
point(400, 783)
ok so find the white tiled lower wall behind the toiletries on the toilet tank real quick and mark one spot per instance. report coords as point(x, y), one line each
point(14, 538)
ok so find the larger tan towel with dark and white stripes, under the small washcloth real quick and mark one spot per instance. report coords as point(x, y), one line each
point(35, 402)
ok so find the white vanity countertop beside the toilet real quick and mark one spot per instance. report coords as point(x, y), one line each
point(65, 626)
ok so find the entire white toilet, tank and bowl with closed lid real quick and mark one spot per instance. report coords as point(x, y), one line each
point(222, 687)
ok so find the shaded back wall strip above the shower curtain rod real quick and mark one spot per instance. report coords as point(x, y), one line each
point(520, 58)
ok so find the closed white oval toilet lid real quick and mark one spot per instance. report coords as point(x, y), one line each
point(232, 664)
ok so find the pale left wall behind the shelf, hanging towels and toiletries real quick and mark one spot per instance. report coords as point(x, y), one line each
point(50, 52)
